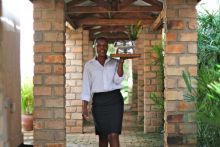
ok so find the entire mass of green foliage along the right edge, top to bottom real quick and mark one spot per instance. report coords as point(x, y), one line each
point(207, 94)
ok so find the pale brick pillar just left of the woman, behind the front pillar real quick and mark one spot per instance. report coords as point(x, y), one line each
point(74, 48)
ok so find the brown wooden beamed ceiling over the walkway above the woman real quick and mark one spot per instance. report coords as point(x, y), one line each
point(110, 18)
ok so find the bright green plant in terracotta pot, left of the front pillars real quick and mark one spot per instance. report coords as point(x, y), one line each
point(27, 106)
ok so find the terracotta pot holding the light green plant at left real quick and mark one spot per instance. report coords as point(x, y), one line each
point(27, 122)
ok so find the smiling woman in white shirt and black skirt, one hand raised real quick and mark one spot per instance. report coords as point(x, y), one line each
point(102, 77)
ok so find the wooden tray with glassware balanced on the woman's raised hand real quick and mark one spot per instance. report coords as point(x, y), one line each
point(125, 49)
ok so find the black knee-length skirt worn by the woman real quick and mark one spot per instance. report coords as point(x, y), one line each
point(107, 111)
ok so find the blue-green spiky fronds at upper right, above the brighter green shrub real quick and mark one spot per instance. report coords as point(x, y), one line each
point(209, 38)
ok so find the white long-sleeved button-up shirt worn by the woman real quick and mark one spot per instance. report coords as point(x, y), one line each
point(98, 78)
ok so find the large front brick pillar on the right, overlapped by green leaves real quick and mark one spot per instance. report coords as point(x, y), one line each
point(180, 55)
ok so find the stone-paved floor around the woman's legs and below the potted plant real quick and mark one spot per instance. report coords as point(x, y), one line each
point(132, 135)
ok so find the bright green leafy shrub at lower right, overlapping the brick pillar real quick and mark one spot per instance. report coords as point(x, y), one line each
point(207, 100)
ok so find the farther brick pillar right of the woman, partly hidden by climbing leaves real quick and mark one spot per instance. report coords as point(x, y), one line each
point(152, 116)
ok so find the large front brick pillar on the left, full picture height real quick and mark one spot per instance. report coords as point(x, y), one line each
point(49, 73)
